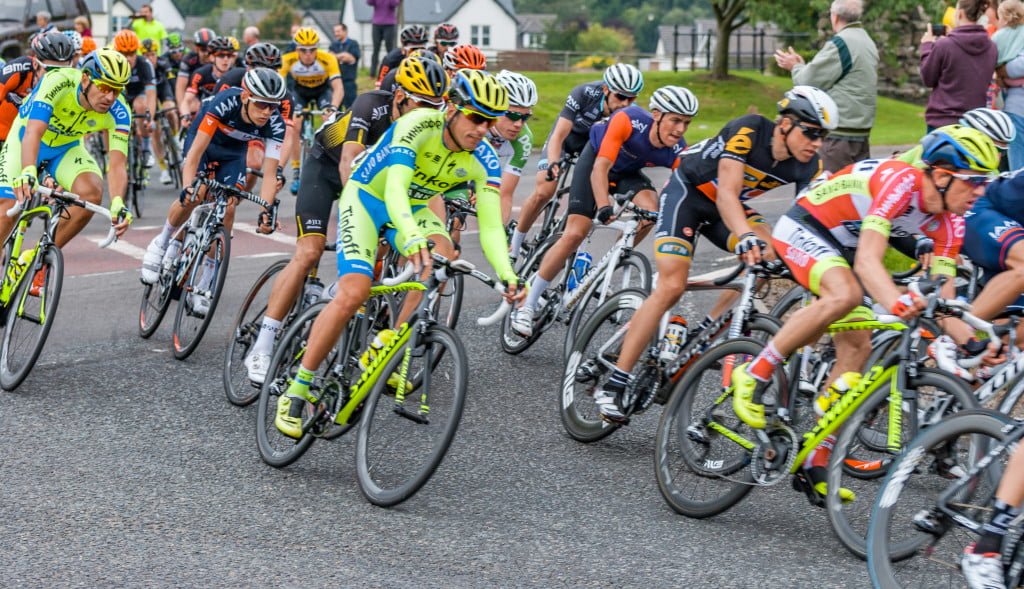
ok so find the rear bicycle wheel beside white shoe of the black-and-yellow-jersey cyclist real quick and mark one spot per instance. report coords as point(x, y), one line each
point(238, 388)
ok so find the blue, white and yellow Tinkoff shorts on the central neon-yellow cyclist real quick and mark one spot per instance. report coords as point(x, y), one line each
point(361, 219)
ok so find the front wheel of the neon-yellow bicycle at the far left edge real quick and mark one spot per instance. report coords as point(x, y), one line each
point(30, 319)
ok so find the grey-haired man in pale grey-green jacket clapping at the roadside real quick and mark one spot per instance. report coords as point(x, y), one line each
point(847, 69)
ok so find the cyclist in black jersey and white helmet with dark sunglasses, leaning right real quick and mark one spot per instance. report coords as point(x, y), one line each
point(705, 196)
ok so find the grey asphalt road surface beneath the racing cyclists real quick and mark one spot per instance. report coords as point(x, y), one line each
point(125, 468)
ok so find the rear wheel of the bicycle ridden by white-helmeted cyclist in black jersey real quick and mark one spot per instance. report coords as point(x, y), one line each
point(590, 362)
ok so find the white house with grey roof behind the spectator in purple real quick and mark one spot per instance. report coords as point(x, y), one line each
point(491, 25)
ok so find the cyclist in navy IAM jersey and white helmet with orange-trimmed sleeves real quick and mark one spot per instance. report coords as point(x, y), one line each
point(219, 140)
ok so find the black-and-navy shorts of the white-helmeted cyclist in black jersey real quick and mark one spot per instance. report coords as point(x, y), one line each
point(686, 214)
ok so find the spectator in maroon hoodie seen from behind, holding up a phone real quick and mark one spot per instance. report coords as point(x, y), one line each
point(958, 67)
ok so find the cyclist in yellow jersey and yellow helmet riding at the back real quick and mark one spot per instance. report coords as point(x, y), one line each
point(315, 77)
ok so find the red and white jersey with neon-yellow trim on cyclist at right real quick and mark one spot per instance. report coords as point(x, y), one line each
point(882, 195)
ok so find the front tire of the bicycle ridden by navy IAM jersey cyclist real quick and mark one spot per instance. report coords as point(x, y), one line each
point(185, 342)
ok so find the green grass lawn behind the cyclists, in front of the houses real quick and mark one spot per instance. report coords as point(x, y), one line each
point(898, 123)
